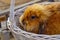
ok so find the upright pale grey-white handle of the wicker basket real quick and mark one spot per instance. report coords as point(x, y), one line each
point(11, 16)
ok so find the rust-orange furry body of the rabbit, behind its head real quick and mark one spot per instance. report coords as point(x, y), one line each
point(52, 25)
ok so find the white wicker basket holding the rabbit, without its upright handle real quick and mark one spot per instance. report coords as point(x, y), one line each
point(23, 35)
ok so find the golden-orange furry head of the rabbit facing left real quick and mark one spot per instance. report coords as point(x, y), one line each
point(32, 17)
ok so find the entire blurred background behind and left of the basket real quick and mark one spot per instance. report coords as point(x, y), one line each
point(5, 34)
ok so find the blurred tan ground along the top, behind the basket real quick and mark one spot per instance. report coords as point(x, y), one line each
point(4, 4)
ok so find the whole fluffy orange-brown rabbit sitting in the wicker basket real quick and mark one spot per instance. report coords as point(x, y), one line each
point(39, 18)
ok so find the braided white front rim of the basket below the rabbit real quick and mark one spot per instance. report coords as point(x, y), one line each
point(31, 35)
